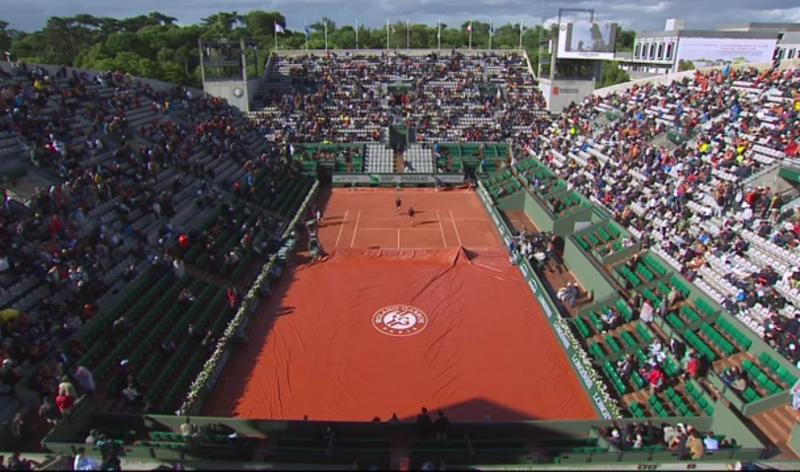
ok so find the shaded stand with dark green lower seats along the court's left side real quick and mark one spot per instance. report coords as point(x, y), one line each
point(165, 198)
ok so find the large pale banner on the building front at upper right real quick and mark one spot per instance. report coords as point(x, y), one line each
point(699, 53)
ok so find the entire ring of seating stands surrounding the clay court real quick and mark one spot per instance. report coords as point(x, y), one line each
point(169, 201)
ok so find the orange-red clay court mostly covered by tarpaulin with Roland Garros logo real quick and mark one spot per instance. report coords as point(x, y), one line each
point(398, 317)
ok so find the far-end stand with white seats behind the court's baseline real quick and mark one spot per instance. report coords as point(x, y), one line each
point(456, 98)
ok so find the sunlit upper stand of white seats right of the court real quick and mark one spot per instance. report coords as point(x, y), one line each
point(697, 204)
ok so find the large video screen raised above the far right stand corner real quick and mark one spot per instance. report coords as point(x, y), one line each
point(587, 41)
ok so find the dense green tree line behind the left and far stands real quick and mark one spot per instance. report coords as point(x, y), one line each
point(154, 46)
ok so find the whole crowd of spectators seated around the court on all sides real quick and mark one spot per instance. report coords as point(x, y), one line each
point(138, 166)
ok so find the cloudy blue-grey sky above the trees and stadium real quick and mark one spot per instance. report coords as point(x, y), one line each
point(640, 15)
